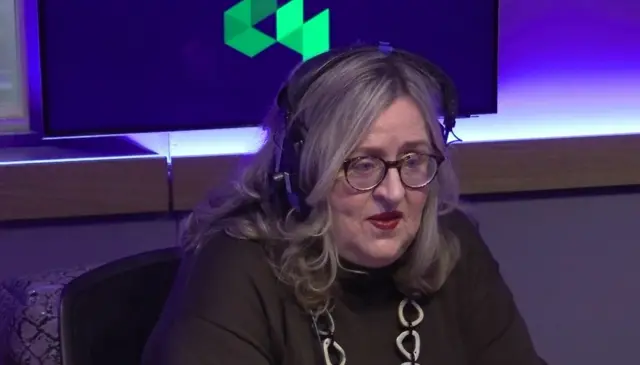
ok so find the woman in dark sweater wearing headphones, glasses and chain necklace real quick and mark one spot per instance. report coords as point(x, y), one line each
point(343, 242)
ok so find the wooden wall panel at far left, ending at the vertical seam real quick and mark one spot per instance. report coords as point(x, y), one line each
point(83, 188)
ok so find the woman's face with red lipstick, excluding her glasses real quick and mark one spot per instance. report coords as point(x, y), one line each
point(359, 236)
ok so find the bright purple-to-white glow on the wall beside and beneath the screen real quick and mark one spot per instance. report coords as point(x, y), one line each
point(566, 69)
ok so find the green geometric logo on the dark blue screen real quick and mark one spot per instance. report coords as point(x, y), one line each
point(308, 38)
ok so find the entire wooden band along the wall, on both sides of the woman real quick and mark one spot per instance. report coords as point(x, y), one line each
point(108, 187)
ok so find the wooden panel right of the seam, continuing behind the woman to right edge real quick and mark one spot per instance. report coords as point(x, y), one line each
point(487, 167)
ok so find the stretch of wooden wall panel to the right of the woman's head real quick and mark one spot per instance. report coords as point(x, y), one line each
point(549, 164)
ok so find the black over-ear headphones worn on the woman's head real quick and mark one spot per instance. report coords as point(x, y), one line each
point(286, 191)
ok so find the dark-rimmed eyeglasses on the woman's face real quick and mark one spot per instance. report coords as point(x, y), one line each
point(367, 172)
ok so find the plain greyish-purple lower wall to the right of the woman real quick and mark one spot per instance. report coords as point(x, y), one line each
point(572, 265)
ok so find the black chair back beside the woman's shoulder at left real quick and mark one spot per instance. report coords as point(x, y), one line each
point(107, 314)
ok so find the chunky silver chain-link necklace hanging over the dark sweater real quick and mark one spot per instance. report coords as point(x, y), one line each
point(325, 328)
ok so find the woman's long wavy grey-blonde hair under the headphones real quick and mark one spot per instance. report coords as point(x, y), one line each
point(337, 110)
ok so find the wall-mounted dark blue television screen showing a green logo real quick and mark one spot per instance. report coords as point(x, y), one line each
point(122, 66)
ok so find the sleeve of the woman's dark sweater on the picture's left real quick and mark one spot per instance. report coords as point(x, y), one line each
point(221, 309)
